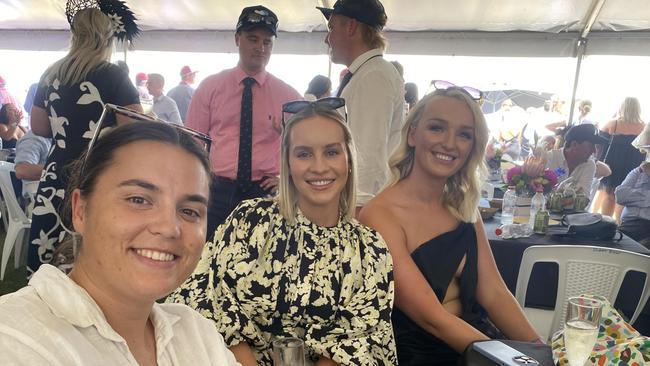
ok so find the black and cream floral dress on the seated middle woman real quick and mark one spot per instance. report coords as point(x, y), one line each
point(261, 279)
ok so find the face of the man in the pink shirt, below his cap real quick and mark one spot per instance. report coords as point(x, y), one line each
point(255, 47)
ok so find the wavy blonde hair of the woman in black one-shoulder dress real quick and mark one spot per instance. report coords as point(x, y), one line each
point(462, 190)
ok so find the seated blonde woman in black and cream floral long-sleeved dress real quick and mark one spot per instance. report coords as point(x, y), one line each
point(300, 265)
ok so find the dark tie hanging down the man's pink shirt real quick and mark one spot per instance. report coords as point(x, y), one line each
point(246, 136)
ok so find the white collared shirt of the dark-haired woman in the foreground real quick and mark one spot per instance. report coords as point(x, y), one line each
point(53, 321)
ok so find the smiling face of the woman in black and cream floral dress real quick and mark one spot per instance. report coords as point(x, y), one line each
point(318, 162)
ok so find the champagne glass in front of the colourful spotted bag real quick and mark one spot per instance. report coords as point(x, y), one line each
point(581, 329)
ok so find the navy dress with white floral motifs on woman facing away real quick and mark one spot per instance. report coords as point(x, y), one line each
point(74, 111)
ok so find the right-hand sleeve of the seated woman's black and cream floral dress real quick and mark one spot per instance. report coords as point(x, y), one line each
point(360, 333)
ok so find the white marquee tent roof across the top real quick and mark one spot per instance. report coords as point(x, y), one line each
point(431, 27)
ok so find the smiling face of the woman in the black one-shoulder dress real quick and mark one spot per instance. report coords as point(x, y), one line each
point(444, 137)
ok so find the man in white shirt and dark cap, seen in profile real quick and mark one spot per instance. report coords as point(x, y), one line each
point(373, 90)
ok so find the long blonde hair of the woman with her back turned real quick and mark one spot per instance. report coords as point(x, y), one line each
point(91, 46)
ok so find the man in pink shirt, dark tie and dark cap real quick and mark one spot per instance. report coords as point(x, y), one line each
point(241, 110)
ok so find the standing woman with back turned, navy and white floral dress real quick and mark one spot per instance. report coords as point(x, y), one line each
point(67, 107)
